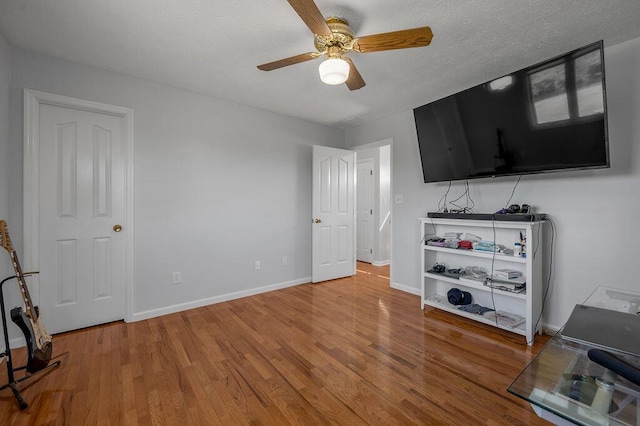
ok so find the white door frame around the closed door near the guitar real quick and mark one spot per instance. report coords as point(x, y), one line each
point(33, 100)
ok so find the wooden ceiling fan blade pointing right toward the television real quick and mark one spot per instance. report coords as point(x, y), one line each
point(415, 37)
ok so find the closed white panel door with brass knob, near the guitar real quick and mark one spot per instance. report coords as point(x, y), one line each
point(82, 216)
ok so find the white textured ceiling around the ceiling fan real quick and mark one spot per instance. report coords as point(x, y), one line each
point(214, 46)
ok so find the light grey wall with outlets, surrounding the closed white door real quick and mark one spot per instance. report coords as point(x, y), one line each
point(217, 184)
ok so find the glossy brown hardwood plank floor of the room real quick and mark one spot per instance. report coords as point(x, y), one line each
point(351, 351)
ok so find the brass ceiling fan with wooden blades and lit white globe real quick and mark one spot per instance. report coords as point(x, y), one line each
point(334, 39)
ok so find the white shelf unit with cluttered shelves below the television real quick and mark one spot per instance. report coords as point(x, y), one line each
point(434, 287)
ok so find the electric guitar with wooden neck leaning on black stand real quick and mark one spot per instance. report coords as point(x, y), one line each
point(39, 346)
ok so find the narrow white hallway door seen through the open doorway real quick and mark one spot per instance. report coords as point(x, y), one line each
point(364, 215)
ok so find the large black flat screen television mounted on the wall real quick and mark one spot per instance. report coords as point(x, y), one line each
point(548, 117)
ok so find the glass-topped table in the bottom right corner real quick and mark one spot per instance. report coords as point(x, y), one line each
point(565, 387)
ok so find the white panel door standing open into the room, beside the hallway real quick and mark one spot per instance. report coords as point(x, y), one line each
point(333, 227)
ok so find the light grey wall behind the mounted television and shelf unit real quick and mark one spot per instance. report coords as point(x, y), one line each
point(595, 212)
